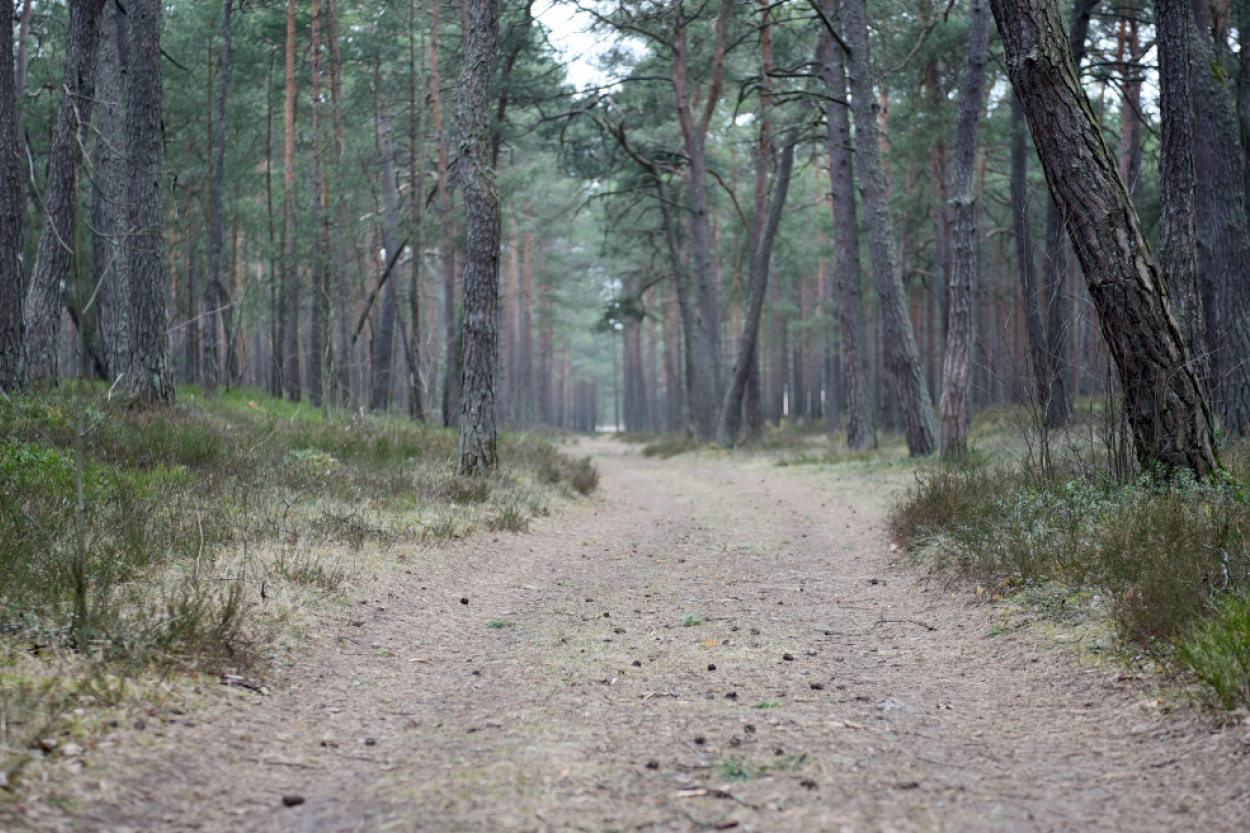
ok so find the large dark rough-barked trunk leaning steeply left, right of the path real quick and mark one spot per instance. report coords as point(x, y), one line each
point(1164, 402)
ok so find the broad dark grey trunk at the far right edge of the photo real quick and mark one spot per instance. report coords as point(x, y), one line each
point(1223, 232)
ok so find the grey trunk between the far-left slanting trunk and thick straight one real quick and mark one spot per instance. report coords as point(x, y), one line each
point(108, 194)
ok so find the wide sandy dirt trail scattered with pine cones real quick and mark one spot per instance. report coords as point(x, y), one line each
point(596, 709)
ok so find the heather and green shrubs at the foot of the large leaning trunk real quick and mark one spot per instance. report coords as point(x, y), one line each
point(1173, 557)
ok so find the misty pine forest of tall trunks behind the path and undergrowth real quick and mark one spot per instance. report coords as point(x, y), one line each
point(742, 213)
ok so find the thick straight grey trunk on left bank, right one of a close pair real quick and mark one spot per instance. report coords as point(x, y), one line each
point(152, 370)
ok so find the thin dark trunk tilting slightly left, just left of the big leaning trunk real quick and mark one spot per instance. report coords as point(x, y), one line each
point(1036, 333)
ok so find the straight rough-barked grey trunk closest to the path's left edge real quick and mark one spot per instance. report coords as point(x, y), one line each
point(481, 335)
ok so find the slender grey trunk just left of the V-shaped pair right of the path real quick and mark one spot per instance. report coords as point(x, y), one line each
point(847, 265)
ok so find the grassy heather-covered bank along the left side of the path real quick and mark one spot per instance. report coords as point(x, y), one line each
point(204, 528)
